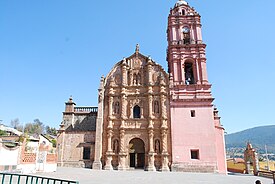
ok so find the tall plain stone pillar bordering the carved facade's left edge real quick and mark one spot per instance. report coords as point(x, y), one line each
point(97, 165)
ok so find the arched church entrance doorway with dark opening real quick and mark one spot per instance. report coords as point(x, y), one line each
point(137, 153)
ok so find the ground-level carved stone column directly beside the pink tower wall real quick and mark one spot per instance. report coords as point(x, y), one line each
point(165, 154)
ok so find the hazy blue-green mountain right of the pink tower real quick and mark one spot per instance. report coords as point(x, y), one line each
point(258, 137)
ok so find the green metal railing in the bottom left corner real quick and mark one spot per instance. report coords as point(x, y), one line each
point(8, 178)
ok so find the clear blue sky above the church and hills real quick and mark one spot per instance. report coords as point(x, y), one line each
point(50, 50)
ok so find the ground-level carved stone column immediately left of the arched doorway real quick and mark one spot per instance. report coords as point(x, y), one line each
point(122, 153)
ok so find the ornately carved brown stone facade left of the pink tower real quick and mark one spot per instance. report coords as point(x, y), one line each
point(141, 102)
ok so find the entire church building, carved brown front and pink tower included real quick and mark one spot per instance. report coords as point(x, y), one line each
point(147, 118)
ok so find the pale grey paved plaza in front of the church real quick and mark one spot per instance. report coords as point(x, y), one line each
point(88, 176)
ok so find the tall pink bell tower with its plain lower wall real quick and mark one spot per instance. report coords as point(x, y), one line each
point(197, 135)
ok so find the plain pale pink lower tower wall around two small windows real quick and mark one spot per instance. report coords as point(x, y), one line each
point(193, 133)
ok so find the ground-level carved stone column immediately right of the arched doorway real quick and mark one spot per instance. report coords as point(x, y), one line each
point(151, 154)
